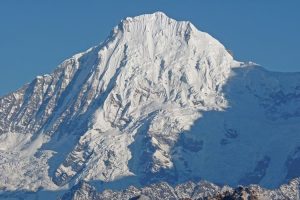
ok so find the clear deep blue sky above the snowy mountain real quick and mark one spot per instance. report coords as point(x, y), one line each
point(36, 35)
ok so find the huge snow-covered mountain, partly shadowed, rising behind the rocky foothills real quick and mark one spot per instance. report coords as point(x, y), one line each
point(157, 101)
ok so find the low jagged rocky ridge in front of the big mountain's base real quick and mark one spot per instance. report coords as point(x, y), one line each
point(186, 191)
